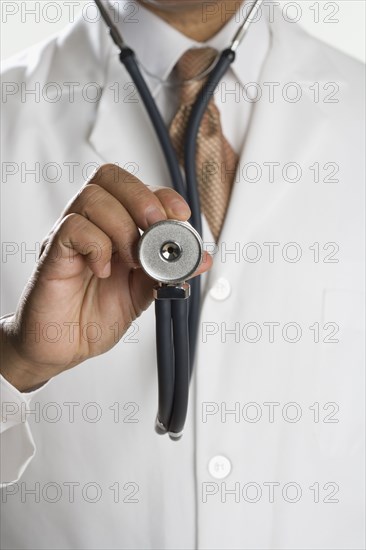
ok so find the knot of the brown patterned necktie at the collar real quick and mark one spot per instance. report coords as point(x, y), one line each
point(190, 66)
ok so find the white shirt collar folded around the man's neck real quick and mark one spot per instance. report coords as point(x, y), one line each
point(158, 46)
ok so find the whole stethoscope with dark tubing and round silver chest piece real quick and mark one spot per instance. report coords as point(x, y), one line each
point(171, 251)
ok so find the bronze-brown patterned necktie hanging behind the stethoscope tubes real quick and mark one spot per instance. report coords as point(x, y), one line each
point(216, 161)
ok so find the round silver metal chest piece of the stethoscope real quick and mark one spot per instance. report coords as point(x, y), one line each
point(170, 251)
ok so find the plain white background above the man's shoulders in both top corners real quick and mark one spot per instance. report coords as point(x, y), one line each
point(340, 23)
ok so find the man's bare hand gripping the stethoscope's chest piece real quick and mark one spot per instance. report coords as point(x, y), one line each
point(87, 287)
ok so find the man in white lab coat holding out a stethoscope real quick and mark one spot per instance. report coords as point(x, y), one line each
point(272, 451)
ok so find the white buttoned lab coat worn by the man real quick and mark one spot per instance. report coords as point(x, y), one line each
point(293, 452)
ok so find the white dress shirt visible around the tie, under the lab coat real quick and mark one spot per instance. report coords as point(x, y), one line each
point(232, 97)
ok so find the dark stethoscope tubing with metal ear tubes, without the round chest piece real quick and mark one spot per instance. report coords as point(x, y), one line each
point(176, 350)
